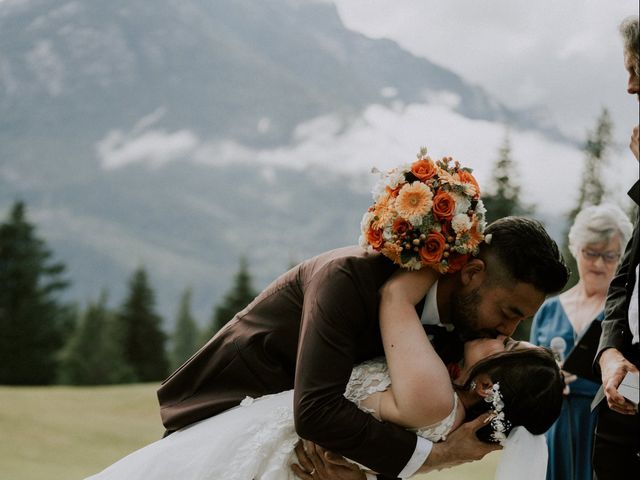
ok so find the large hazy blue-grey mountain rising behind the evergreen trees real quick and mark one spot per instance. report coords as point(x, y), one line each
point(86, 86)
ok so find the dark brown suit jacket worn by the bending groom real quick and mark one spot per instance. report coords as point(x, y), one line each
point(304, 331)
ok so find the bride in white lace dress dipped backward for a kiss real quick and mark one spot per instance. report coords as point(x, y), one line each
point(520, 385)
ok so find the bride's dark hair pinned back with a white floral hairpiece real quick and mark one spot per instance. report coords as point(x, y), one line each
point(531, 385)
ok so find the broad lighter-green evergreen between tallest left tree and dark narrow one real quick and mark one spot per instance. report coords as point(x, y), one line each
point(93, 355)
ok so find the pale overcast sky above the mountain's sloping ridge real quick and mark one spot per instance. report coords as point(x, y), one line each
point(564, 56)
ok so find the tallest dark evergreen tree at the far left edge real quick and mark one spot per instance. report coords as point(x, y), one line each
point(32, 319)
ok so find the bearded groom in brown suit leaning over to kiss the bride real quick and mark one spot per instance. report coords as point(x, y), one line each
point(309, 328)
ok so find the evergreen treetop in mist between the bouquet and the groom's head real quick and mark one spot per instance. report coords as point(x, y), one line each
point(503, 199)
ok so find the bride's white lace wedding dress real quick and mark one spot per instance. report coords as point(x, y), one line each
point(254, 440)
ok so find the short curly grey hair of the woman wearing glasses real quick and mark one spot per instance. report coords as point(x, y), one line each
point(596, 224)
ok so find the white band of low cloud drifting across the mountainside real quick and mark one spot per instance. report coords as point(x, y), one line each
point(383, 137)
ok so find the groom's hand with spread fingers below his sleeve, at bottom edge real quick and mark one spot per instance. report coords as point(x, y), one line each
point(316, 463)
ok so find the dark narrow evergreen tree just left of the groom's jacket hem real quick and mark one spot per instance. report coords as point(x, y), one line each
point(139, 329)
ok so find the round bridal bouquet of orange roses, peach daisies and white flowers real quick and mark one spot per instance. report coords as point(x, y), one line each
point(428, 213)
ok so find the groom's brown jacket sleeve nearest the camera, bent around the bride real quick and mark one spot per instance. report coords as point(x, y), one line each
point(335, 315)
